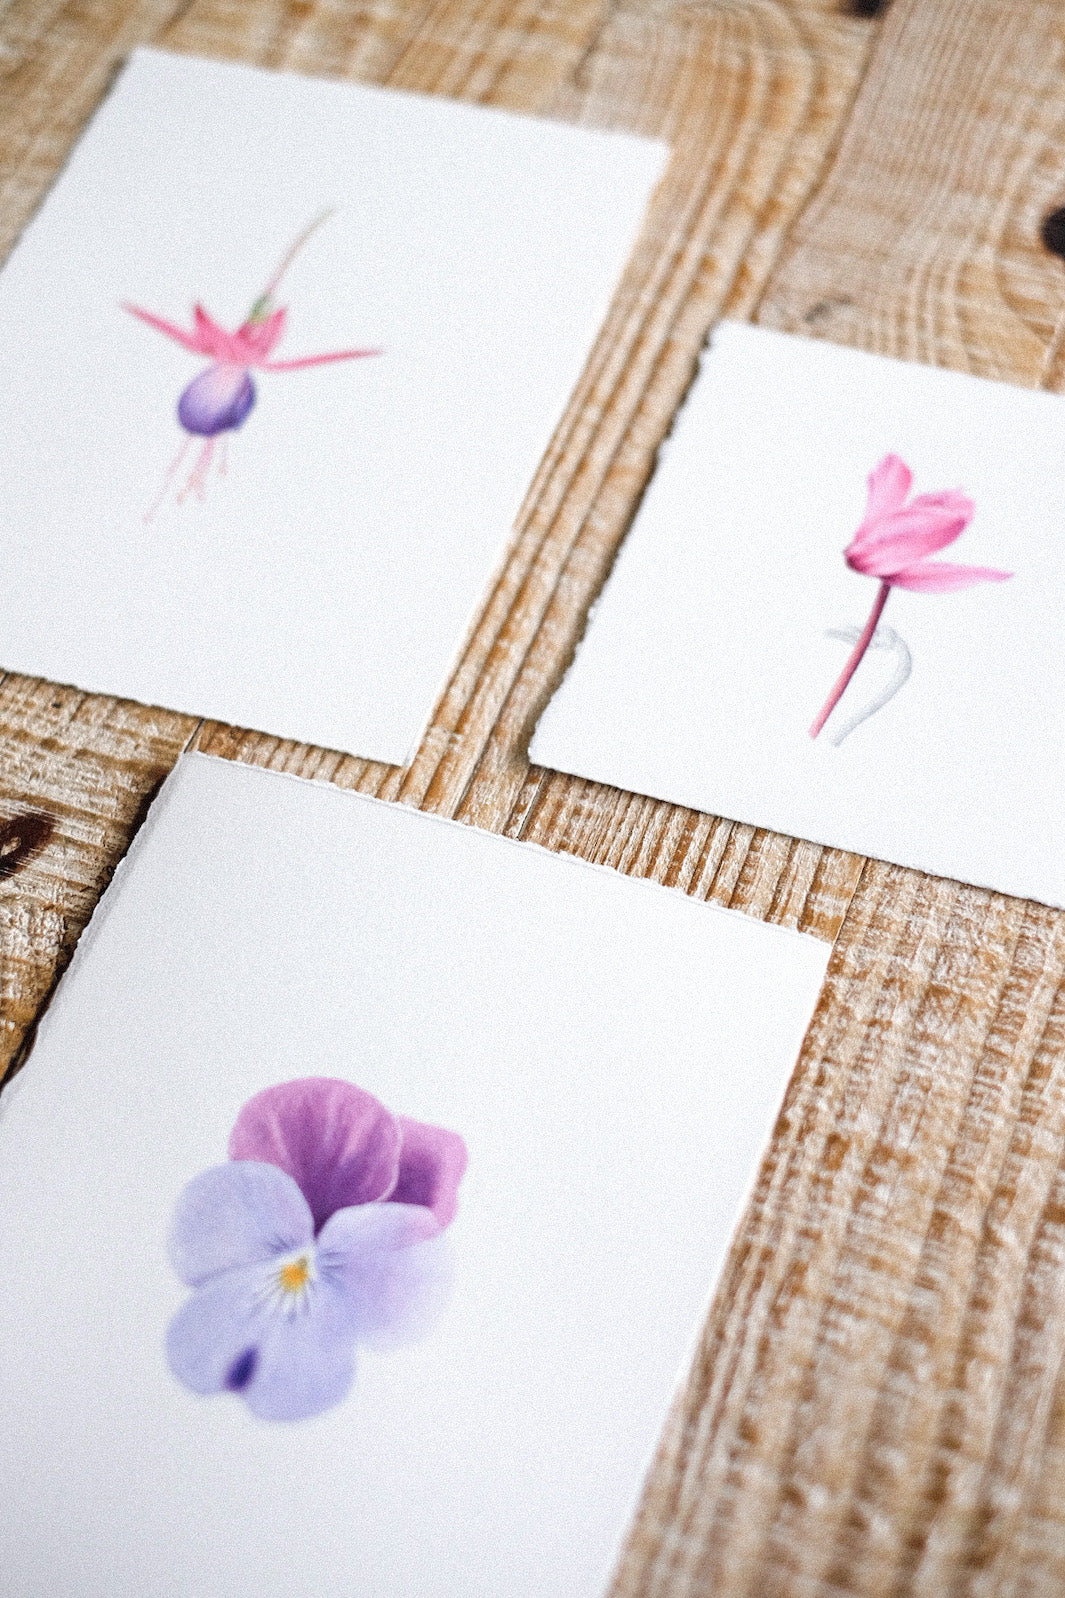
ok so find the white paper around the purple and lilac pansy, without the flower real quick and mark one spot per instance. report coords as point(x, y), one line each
point(613, 1055)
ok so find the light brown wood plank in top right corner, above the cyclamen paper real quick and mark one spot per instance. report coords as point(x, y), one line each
point(925, 239)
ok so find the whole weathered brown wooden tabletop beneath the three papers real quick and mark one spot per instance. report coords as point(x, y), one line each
point(879, 1401)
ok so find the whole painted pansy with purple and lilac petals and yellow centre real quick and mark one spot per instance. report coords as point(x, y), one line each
point(322, 1233)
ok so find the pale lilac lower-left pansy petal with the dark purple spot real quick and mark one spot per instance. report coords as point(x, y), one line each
point(213, 1340)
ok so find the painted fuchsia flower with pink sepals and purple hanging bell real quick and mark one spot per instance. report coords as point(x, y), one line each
point(221, 397)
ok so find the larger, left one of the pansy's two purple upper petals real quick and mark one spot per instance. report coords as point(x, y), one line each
point(337, 1142)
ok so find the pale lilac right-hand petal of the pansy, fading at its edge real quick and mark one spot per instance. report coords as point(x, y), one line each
point(393, 1266)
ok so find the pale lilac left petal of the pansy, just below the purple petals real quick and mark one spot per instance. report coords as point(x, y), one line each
point(236, 1215)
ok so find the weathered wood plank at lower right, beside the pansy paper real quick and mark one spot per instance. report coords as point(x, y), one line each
point(869, 1410)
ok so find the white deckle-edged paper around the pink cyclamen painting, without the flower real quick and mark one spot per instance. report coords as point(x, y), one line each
point(709, 656)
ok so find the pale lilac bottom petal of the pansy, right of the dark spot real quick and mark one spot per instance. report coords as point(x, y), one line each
point(306, 1361)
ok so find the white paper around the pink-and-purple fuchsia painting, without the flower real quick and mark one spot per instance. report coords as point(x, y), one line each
point(325, 584)
